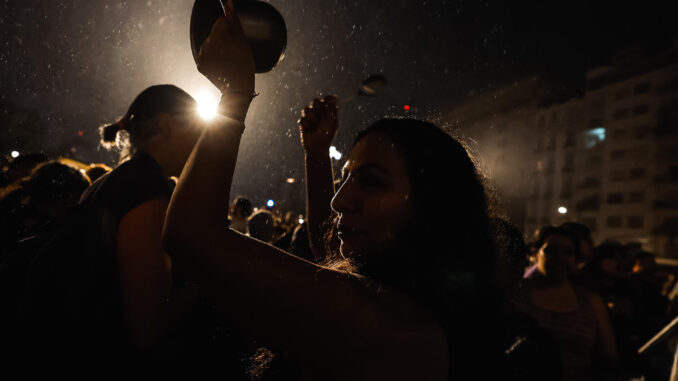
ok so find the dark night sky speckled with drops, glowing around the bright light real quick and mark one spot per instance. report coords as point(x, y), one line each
point(67, 67)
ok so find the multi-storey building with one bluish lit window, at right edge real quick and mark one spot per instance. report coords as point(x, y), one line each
point(610, 158)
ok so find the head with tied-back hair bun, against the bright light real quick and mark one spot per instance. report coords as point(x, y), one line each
point(162, 121)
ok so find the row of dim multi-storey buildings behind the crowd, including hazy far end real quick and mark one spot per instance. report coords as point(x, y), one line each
point(607, 158)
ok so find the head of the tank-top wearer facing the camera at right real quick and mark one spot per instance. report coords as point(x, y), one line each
point(557, 251)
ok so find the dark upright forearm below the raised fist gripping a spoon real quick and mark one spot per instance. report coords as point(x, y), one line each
point(319, 193)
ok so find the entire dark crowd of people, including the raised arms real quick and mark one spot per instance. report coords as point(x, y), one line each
point(381, 280)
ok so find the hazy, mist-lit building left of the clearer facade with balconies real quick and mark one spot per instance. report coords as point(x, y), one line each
point(497, 127)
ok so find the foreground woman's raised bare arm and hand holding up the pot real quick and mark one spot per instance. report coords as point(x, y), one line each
point(334, 323)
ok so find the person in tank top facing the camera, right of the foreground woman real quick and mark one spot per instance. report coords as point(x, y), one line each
point(576, 318)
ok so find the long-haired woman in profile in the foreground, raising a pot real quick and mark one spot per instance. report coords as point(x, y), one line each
point(421, 301)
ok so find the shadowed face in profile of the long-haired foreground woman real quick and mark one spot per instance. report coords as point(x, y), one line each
point(373, 202)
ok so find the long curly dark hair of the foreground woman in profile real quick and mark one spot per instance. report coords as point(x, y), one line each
point(446, 256)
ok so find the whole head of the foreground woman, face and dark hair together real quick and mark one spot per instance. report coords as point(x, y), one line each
point(411, 209)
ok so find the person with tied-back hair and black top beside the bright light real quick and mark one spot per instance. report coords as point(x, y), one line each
point(128, 207)
